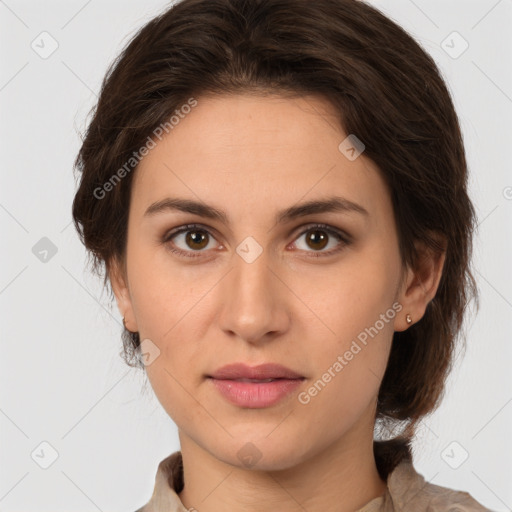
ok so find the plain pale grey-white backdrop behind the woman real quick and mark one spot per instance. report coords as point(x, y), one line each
point(68, 401)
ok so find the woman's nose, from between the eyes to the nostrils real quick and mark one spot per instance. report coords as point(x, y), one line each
point(254, 301)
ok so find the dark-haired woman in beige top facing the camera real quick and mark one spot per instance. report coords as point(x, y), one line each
point(277, 191)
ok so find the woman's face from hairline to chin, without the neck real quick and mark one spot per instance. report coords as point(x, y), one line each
point(316, 290)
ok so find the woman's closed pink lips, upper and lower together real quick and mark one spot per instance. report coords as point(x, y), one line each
point(255, 387)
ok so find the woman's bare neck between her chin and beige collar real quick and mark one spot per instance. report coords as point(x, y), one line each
point(343, 477)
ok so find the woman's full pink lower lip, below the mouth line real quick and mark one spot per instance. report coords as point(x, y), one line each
point(256, 394)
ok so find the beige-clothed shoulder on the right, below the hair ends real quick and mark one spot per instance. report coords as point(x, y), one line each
point(408, 490)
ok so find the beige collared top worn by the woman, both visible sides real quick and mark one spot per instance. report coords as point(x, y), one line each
point(406, 491)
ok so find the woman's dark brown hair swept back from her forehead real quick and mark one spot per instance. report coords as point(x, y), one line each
point(387, 91)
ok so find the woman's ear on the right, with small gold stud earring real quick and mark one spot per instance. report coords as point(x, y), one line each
point(420, 283)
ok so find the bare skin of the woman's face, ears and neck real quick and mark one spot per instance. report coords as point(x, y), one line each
point(253, 156)
